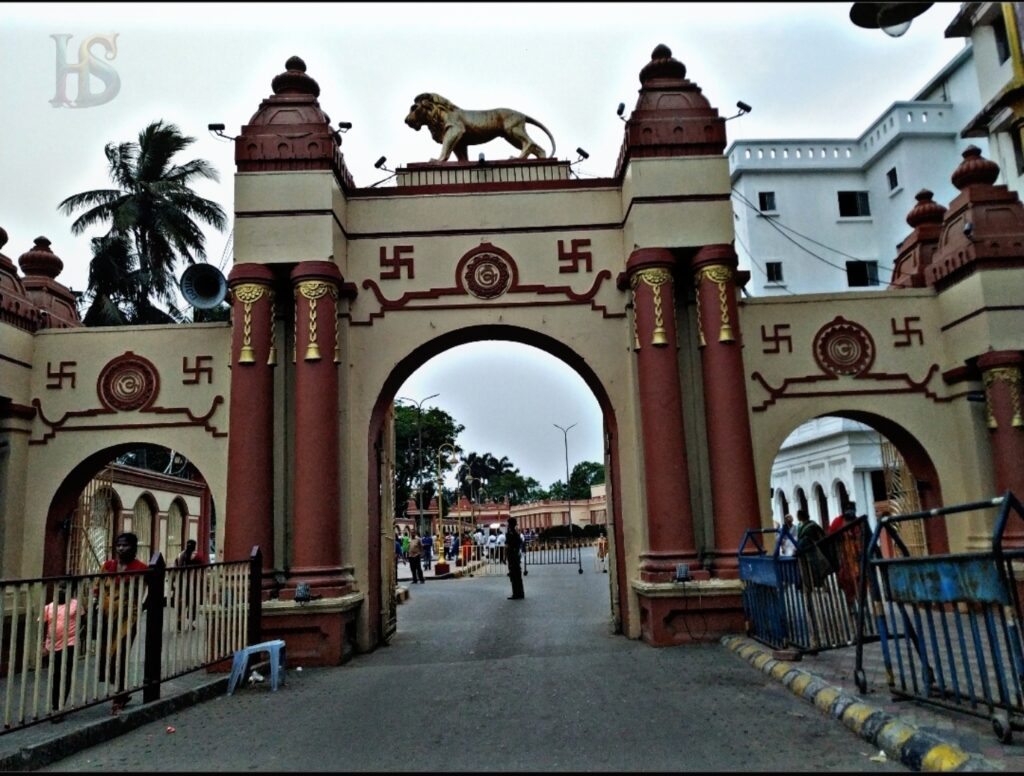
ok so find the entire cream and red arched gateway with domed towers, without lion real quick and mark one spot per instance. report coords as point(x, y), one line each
point(340, 293)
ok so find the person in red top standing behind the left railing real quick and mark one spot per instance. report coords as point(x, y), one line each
point(118, 606)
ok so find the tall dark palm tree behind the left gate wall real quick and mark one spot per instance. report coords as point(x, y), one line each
point(153, 225)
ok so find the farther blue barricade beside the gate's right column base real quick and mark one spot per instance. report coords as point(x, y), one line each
point(809, 601)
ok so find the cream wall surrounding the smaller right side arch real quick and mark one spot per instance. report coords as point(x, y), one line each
point(952, 433)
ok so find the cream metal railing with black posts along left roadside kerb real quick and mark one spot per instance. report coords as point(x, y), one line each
point(71, 642)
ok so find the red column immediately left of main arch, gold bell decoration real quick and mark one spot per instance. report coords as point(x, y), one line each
point(316, 529)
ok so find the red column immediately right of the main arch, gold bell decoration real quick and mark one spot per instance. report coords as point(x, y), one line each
point(670, 520)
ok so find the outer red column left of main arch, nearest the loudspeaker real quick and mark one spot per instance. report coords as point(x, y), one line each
point(249, 519)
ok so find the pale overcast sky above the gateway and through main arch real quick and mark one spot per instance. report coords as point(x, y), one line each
point(806, 70)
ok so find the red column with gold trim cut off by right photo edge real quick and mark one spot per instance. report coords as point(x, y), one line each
point(1001, 371)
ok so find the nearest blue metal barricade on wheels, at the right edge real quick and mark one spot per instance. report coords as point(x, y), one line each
point(950, 625)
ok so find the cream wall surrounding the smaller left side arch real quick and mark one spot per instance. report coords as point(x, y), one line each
point(92, 350)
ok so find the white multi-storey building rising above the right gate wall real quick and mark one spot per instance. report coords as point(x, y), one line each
point(819, 215)
